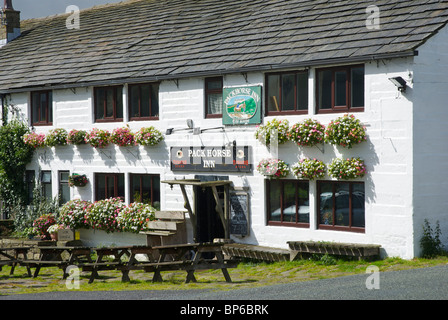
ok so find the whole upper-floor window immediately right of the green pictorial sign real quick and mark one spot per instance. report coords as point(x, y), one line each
point(287, 93)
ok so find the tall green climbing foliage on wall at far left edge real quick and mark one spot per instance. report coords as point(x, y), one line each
point(14, 156)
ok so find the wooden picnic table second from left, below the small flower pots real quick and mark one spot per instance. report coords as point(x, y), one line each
point(51, 256)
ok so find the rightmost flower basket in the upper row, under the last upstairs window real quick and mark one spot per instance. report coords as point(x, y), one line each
point(345, 131)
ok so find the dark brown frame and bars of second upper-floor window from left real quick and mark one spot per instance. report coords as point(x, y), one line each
point(116, 103)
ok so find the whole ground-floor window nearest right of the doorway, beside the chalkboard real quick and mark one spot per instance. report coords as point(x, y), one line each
point(288, 202)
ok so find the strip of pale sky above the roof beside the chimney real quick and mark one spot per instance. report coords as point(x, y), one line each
point(43, 8)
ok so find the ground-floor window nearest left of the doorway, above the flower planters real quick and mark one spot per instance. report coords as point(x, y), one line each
point(145, 188)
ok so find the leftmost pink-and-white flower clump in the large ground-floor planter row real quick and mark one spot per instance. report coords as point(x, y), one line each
point(73, 214)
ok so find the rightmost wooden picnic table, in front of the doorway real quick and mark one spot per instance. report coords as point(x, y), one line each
point(191, 257)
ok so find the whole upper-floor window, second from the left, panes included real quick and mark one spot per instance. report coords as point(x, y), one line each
point(108, 103)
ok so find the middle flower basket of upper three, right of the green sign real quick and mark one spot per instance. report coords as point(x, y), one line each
point(307, 133)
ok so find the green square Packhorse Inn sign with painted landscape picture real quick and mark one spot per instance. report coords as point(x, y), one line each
point(241, 105)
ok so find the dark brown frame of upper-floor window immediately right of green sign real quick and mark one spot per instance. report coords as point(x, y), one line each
point(279, 104)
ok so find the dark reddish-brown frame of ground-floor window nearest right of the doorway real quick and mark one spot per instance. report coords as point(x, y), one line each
point(282, 222)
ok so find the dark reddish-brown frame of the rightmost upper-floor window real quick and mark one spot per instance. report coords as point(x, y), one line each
point(348, 90)
